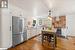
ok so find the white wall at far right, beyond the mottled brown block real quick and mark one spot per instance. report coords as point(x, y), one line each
point(71, 24)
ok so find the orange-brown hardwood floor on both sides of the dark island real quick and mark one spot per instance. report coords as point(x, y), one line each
point(35, 44)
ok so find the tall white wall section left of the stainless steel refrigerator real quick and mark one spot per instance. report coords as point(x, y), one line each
point(5, 29)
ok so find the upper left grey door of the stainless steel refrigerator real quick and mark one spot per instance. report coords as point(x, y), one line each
point(15, 25)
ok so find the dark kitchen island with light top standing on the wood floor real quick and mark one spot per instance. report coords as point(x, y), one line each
point(50, 36)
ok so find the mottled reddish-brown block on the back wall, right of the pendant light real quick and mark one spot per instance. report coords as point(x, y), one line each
point(61, 22)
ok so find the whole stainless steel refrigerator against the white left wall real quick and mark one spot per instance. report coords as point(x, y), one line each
point(18, 33)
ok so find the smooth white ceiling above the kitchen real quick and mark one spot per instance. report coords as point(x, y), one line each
point(41, 7)
